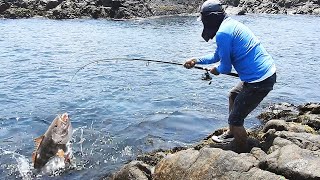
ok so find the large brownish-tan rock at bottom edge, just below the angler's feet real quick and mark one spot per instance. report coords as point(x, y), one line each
point(210, 163)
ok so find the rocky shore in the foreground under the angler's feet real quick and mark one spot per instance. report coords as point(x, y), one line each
point(287, 146)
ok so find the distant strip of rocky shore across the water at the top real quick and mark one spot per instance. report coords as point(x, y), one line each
point(127, 9)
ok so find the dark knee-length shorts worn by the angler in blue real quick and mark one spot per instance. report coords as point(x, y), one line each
point(246, 97)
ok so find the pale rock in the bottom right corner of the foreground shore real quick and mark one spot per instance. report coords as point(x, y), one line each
point(293, 162)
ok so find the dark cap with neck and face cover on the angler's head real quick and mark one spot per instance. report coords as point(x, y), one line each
point(212, 15)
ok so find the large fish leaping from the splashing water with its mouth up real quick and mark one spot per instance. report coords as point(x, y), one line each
point(54, 142)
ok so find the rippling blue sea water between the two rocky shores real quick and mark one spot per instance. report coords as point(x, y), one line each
point(121, 108)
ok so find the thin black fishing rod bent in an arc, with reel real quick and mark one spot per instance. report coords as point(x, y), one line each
point(207, 75)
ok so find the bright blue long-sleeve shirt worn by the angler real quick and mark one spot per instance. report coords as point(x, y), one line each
point(237, 46)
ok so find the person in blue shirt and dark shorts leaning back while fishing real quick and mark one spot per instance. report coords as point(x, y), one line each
point(239, 48)
